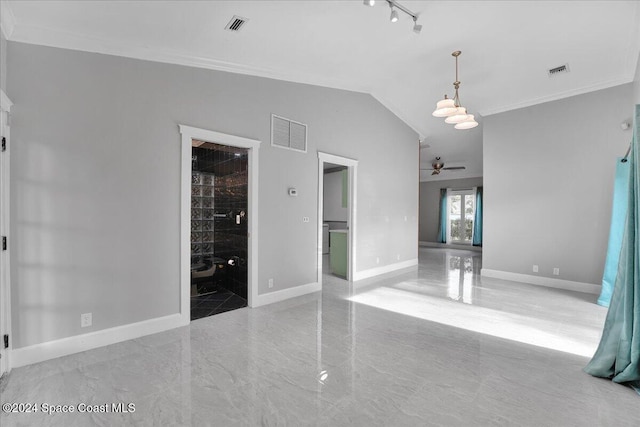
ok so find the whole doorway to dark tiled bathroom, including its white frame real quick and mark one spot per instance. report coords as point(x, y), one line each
point(218, 226)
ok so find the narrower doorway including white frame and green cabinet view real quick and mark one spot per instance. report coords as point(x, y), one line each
point(336, 215)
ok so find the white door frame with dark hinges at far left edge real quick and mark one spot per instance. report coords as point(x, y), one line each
point(5, 264)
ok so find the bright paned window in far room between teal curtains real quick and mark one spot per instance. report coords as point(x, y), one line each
point(461, 210)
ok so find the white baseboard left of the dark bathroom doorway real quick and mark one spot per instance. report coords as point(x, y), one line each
point(52, 349)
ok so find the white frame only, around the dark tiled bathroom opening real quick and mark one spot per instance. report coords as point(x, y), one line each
point(252, 145)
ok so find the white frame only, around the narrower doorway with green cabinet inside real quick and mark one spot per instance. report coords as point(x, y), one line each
point(352, 167)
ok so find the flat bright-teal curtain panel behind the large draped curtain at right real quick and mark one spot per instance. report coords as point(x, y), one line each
point(616, 231)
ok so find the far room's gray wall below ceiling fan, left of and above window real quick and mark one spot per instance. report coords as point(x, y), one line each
point(430, 204)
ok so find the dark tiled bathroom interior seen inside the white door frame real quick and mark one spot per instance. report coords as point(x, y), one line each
point(219, 215)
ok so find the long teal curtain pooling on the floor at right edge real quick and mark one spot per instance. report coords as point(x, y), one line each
point(618, 355)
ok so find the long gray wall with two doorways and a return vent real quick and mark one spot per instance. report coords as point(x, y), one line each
point(96, 182)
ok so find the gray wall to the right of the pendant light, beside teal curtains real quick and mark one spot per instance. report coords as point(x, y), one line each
point(548, 184)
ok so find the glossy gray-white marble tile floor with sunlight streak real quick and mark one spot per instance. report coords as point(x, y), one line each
point(383, 354)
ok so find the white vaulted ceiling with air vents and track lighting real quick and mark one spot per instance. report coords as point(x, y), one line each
point(507, 46)
